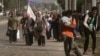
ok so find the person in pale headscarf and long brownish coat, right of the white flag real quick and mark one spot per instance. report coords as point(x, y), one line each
point(41, 29)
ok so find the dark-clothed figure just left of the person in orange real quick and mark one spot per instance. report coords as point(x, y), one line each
point(55, 26)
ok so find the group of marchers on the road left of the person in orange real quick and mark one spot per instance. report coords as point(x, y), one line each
point(42, 28)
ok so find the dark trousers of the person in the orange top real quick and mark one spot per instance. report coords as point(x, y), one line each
point(67, 45)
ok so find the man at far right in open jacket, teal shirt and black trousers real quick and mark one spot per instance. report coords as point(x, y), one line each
point(90, 26)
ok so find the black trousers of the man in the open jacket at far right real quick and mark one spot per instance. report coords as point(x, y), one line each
point(93, 35)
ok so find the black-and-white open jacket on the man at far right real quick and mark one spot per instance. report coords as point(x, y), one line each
point(88, 20)
